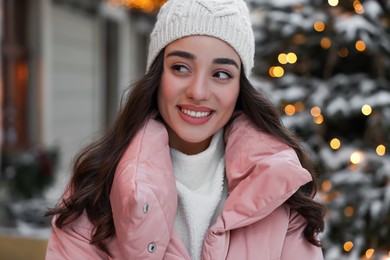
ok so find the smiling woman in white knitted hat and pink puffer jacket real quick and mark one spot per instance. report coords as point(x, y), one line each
point(198, 164)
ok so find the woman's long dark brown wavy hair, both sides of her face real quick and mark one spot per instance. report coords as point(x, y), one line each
point(94, 167)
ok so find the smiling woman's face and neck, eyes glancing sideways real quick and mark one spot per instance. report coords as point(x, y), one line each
point(198, 92)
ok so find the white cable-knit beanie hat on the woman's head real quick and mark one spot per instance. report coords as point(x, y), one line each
point(227, 20)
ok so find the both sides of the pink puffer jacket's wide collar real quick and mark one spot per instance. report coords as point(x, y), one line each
point(262, 173)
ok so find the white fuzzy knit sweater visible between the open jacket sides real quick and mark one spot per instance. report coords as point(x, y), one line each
point(202, 191)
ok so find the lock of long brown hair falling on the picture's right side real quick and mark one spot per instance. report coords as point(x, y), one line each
point(266, 116)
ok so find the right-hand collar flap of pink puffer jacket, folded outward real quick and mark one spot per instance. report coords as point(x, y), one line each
point(262, 174)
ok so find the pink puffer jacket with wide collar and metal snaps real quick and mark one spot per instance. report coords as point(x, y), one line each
point(255, 222)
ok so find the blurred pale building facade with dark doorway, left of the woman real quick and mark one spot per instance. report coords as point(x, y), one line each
point(65, 65)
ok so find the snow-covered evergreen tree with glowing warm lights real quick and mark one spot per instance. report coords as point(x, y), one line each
point(326, 64)
